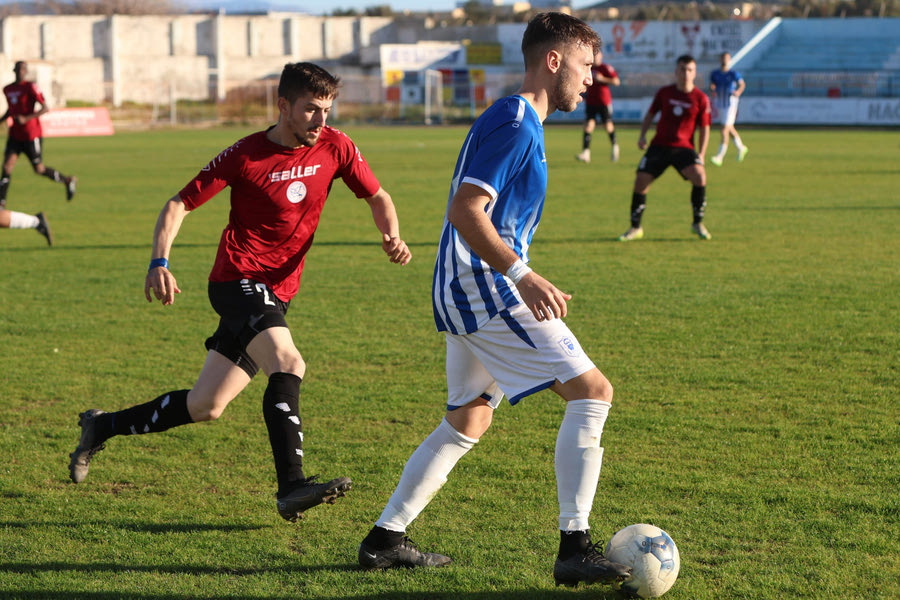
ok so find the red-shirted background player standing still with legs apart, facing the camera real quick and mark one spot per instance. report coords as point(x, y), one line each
point(682, 108)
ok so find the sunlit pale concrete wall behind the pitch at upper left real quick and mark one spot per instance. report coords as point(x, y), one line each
point(147, 58)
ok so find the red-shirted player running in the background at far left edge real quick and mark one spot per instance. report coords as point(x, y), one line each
point(25, 133)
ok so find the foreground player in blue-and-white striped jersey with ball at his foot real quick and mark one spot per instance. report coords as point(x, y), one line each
point(502, 321)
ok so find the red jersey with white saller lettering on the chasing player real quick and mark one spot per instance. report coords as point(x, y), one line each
point(277, 196)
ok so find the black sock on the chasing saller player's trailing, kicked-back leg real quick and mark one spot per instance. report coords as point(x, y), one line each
point(162, 413)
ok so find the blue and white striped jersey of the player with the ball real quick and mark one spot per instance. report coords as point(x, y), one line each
point(504, 155)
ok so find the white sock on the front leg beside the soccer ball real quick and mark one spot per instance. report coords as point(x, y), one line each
point(578, 460)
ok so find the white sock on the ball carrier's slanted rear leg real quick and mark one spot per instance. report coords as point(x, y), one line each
point(424, 474)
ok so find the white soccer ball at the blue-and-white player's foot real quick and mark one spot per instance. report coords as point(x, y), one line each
point(652, 556)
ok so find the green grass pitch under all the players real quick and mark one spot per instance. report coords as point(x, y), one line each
point(755, 417)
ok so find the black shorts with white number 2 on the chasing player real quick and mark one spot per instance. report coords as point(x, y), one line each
point(245, 308)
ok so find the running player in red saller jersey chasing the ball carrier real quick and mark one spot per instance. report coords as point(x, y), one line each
point(279, 179)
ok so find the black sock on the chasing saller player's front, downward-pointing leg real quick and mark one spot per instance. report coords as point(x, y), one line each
point(281, 410)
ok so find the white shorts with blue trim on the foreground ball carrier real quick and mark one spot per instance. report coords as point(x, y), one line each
point(512, 354)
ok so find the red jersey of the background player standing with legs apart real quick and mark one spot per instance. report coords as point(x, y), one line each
point(681, 114)
